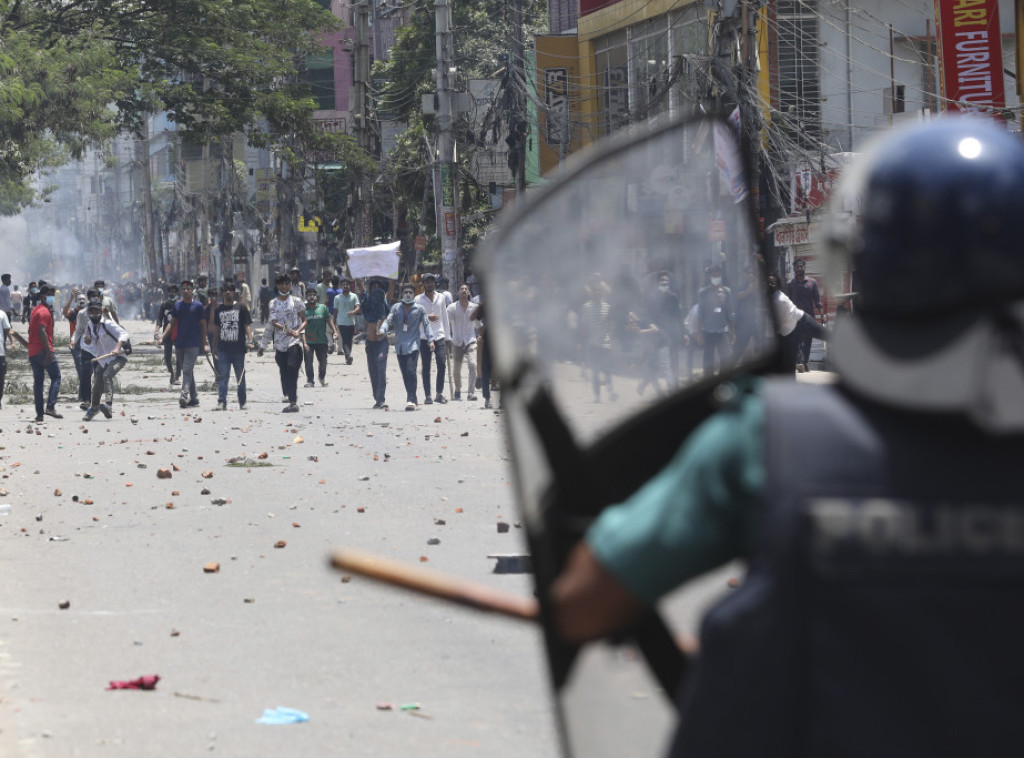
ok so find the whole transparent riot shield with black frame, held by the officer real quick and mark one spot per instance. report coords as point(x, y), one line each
point(620, 303)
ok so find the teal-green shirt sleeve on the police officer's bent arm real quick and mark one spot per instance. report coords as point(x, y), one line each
point(699, 513)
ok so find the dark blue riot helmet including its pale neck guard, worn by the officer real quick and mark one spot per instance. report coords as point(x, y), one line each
point(937, 250)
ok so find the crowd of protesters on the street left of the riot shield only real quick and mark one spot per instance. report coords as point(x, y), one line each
point(305, 322)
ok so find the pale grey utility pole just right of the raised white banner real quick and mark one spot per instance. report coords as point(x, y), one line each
point(448, 225)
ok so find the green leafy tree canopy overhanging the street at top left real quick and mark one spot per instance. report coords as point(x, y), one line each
point(72, 73)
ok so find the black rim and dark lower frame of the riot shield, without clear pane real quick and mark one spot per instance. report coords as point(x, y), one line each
point(587, 480)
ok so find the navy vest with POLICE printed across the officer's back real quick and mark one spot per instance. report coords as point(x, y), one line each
point(883, 614)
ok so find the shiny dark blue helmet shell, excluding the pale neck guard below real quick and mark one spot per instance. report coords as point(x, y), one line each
point(942, 220)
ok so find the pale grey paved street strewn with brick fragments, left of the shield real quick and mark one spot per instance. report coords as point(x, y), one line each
point(92, 525)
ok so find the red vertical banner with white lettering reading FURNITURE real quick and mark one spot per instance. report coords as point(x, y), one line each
point(970, 55)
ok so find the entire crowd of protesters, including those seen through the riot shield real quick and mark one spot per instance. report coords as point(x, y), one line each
point(642, 328)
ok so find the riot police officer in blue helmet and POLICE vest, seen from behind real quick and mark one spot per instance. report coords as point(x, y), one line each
point(883, 613)
